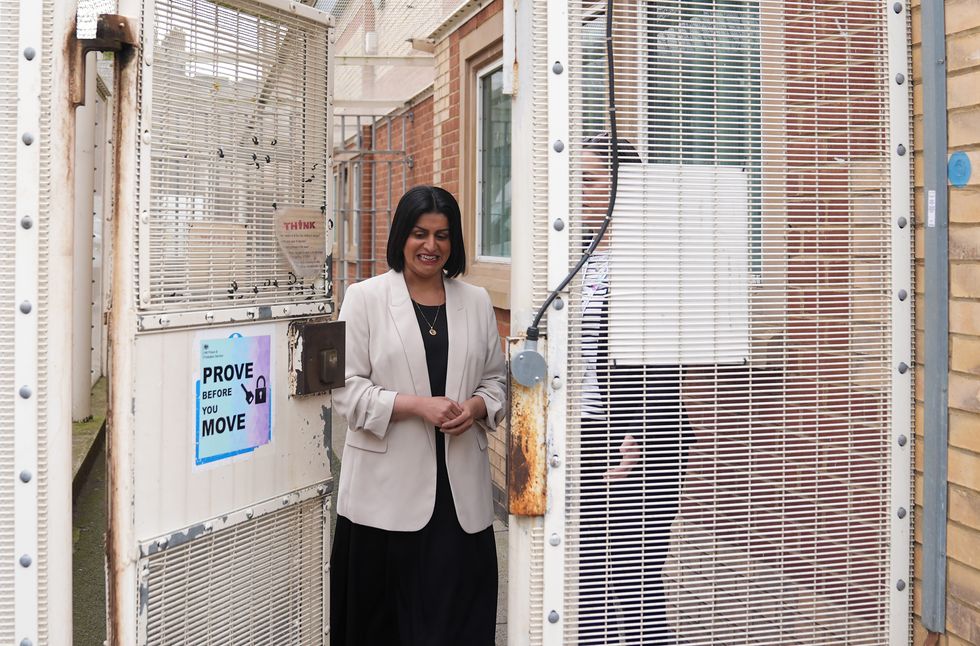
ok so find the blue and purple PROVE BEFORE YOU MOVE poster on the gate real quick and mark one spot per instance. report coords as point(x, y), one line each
point(234, 397)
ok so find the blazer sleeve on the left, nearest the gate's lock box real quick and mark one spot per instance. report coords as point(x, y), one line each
point(365, 405)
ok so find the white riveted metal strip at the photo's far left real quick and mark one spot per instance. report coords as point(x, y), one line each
point(27, 501)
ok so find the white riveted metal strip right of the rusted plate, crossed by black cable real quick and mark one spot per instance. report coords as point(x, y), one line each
point(557, 326)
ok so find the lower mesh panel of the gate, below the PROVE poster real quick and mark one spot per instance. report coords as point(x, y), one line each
point(258, 582)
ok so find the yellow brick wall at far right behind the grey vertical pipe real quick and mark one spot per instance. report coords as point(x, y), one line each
point(963, 524)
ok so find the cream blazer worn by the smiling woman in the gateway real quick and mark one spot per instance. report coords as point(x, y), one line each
point(388, 476)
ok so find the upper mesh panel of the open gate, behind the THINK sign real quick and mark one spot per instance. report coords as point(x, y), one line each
point(237, 95)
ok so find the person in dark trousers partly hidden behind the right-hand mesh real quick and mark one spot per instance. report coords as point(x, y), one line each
point(635, 437)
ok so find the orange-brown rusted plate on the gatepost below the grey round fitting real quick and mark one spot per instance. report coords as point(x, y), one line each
point(526, 455)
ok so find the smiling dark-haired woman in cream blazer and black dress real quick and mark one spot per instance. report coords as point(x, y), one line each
point(414, 560)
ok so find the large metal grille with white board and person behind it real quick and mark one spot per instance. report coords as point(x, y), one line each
point(730, 380)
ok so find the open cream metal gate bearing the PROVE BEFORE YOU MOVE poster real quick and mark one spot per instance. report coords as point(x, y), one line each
point(221, 351)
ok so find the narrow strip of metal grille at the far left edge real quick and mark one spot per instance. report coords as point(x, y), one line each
point(9, 21)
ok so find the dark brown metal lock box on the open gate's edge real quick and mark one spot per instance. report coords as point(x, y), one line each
point(316, 356)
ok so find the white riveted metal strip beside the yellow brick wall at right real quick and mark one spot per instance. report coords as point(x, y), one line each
point(903, 288)
